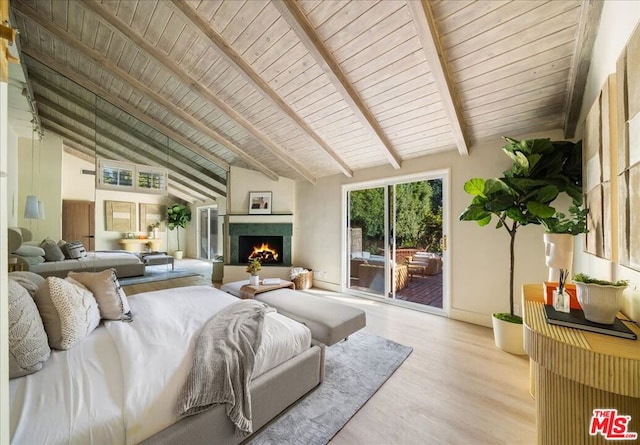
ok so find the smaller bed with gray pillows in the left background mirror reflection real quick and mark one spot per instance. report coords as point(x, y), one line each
point(31, 256)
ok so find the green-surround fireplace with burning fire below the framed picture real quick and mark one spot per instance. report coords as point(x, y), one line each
point(271, 242)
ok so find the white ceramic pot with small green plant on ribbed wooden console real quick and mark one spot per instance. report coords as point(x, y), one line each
point(600, 303)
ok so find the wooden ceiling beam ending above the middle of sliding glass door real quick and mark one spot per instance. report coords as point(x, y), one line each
point(323, 57)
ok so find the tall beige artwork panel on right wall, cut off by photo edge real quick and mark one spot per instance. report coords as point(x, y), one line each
point(628, 157)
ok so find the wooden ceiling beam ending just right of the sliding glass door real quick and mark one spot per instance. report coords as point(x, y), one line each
point(428, 35)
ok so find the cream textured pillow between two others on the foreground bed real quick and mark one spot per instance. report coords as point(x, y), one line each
point(69, 312)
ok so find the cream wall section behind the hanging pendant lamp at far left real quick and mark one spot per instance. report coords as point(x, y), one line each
point(40, 173)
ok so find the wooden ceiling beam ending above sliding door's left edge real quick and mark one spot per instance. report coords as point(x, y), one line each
point(236, 61)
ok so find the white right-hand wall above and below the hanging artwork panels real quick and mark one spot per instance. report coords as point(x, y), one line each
point(619, 19)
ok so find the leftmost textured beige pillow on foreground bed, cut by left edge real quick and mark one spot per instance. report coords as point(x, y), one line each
point(28, 345)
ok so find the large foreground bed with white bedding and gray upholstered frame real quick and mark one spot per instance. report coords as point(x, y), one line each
point(122, 382)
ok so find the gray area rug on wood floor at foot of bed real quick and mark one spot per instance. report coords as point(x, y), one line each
point(354, 370)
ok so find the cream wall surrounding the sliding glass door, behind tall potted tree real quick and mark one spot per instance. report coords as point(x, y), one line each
point(479, 255)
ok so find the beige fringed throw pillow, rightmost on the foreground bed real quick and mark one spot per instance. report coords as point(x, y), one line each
point(107, 291)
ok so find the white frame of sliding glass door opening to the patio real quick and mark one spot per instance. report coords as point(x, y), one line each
point(388, 183)
